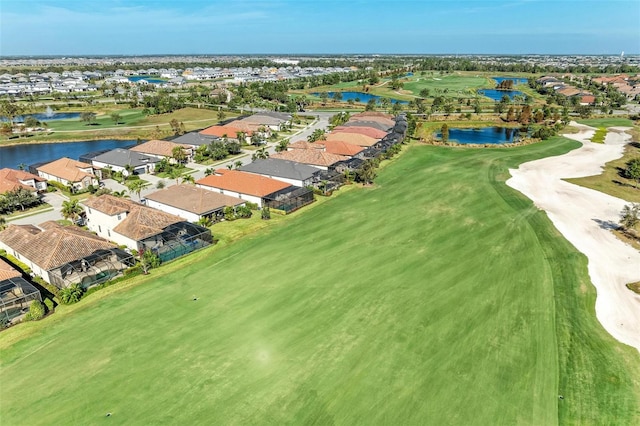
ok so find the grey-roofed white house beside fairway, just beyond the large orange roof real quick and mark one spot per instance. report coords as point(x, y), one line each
point(291, 172)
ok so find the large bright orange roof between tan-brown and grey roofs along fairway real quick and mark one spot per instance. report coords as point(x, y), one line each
point(242, 182)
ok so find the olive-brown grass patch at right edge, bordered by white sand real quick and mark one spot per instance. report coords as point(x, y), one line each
point(612, 181)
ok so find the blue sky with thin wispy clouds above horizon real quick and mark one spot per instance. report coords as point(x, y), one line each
point(83, 27)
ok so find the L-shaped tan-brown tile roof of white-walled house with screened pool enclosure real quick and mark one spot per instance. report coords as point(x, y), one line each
point(141, 221)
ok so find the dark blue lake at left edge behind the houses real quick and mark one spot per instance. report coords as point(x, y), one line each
point(12, 156)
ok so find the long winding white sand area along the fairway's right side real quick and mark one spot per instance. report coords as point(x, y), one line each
point(585, 217)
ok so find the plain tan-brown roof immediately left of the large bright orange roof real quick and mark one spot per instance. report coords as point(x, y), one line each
point(193, 199)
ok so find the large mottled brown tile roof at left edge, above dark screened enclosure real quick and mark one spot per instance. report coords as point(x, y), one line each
point(54, 245)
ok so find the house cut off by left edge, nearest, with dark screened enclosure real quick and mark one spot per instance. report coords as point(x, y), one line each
point(16, 294)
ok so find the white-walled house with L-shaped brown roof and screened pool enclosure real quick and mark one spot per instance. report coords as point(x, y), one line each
point(141, 228)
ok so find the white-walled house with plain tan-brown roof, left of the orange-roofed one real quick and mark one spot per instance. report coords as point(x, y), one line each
point(192, 203)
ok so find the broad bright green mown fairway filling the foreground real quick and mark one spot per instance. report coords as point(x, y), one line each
point(438, 296)
